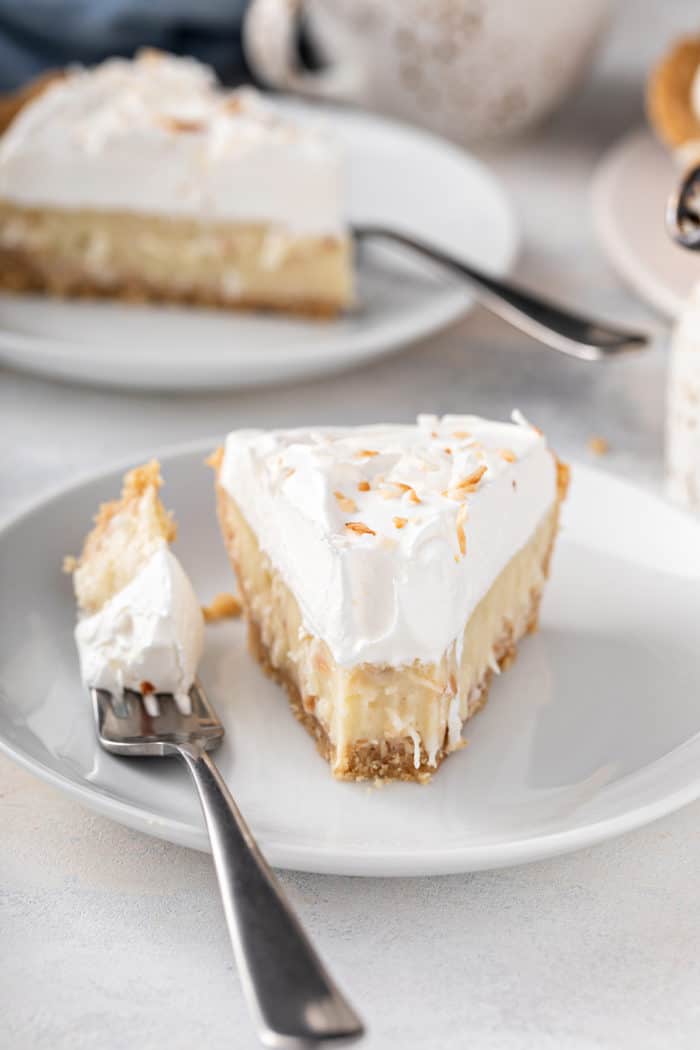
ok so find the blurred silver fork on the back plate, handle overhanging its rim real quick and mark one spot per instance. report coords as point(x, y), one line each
point(557, 327)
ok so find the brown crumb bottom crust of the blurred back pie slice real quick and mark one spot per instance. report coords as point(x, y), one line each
point(22, 274)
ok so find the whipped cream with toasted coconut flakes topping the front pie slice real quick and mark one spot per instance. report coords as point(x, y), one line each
point(390, 536)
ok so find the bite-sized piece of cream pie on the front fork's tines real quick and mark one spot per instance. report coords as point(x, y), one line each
point(141, 625)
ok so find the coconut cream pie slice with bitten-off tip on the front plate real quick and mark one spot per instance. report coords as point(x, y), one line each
point(388, 573)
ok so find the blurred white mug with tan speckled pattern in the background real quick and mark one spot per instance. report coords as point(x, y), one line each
point(466, 69)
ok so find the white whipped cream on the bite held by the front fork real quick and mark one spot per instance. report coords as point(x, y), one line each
point(151, 633)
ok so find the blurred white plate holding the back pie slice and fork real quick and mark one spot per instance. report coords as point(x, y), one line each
point(397, 176)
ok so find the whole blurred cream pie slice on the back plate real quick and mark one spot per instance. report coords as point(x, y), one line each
point(145, 179)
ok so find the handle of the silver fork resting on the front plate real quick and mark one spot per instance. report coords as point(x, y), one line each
point(293, 999)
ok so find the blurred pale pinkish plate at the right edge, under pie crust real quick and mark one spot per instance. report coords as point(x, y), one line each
point(630, 194)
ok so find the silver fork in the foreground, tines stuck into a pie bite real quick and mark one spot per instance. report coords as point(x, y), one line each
point(293, 1000)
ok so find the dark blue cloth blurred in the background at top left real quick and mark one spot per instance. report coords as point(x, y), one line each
point(37, 35)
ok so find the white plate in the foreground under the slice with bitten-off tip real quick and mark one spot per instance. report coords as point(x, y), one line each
point(595, 731)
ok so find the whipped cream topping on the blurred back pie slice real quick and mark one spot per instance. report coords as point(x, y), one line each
point(158, 135)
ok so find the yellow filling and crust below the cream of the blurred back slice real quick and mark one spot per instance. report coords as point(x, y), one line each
point(134, 257)
